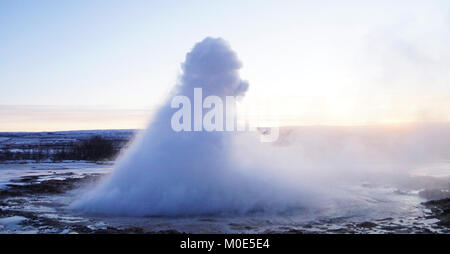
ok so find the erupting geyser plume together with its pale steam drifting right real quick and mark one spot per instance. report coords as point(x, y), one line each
point(165, 172)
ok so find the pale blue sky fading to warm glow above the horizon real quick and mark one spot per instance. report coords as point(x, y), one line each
point(108, 64)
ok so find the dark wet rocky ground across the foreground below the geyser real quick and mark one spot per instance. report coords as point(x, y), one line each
point(32, 205)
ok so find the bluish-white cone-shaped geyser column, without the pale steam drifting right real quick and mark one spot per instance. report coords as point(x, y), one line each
point(165, 172)
